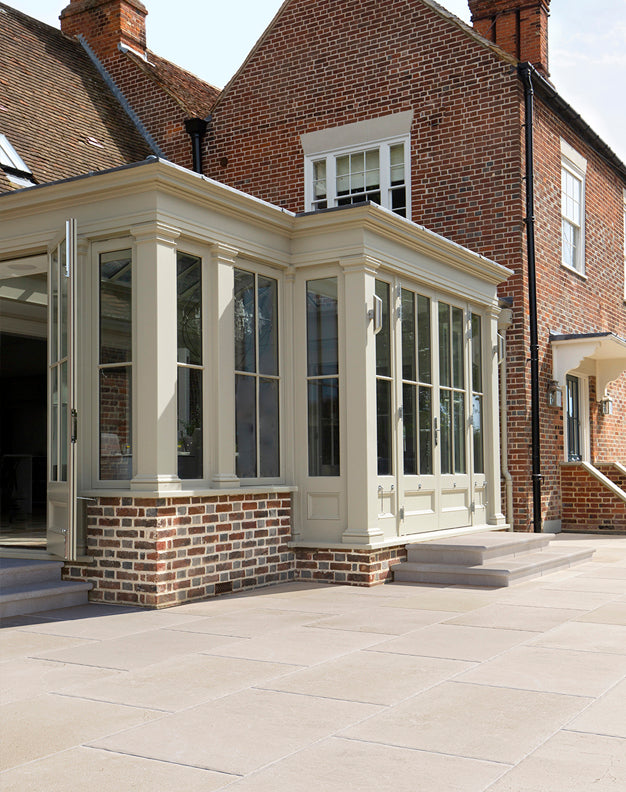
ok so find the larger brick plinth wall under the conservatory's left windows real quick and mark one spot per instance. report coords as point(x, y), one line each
point(165, 551)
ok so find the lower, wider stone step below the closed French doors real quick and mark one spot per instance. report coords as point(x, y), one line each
point(493, 574)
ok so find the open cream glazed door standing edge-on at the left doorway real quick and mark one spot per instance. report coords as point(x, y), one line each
point(62, 415)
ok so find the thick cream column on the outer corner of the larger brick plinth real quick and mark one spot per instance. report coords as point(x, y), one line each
point(154, 358)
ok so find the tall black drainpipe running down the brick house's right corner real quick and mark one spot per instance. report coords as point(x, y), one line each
point(525, 72)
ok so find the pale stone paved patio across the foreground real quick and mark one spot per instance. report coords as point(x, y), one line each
point(306, 687)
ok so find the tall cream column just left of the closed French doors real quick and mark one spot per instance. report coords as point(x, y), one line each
point(359, 373)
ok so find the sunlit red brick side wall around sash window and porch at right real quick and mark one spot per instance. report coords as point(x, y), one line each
point(569, 303)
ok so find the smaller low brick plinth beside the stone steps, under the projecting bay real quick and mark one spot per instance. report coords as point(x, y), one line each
point(352, 566)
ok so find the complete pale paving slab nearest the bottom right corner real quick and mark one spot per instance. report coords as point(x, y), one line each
point(473, 721)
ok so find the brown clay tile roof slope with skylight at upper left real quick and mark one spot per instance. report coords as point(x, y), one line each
point(55, 109)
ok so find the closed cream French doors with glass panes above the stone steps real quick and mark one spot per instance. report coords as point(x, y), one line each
point(430, 411)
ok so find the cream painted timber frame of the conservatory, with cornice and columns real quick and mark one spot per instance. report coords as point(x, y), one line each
point(156, 208)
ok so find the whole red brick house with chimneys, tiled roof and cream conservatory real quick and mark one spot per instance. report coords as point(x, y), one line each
point(292, 365)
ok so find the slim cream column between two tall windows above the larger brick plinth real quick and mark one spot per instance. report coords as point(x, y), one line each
point(223, 338)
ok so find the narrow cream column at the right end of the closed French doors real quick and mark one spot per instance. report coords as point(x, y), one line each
point(492, 421)
